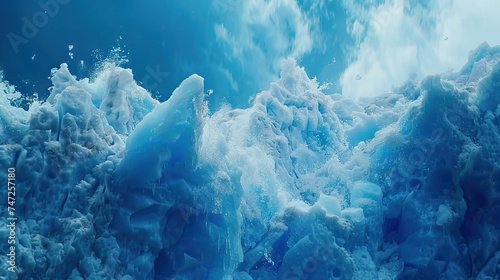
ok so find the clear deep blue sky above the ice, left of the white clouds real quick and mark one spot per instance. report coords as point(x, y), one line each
point(173, 38)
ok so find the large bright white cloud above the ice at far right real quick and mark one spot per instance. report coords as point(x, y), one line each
point(397, 38)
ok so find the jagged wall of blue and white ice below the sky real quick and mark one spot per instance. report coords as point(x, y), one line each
point(112, 184)
